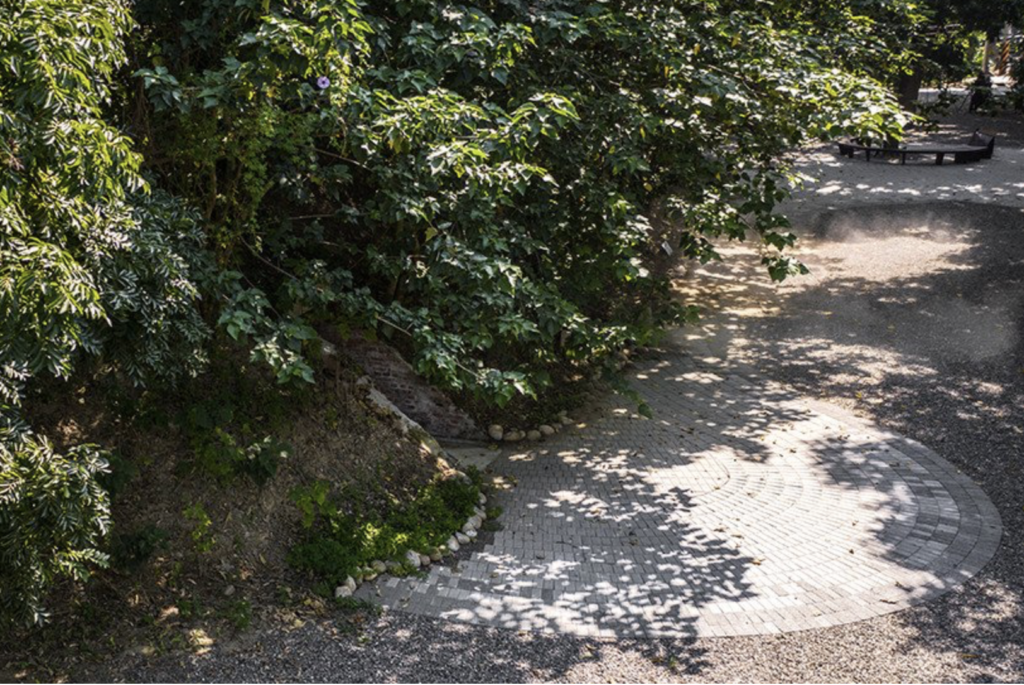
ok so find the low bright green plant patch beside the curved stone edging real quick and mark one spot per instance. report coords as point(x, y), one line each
point(337, 543)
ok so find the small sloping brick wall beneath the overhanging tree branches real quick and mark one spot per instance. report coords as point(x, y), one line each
point(400, 383)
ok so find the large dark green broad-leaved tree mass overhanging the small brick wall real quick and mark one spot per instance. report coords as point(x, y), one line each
point(477, 182)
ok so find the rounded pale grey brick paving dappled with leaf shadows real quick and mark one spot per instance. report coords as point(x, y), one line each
point(741, 509)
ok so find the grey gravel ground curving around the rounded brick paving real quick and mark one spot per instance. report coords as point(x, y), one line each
point(919, 328)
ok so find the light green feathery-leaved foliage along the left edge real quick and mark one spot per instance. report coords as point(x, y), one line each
point(92, 268)
